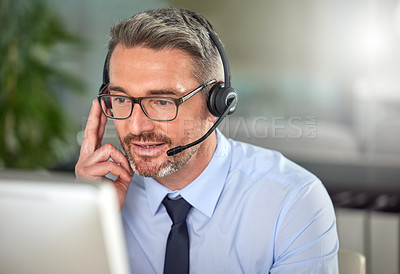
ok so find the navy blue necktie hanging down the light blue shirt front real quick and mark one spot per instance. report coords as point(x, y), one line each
point(177, 253)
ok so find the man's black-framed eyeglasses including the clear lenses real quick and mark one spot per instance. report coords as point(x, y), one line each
point(120, 107)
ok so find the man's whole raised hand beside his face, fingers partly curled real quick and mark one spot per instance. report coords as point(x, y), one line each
point(93, 163)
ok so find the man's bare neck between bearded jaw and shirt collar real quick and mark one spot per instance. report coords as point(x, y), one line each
point(193, 168)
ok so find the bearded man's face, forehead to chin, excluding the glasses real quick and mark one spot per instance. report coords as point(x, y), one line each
point(141, 72)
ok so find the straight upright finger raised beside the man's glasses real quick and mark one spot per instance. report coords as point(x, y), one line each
point(91, 138)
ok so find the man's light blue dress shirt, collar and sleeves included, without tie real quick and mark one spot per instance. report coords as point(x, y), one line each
point(254, 211)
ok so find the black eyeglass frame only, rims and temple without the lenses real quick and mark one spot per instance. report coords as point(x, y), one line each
point(138, 100)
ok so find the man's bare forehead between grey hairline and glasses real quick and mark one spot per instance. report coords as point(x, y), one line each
point(146, 69)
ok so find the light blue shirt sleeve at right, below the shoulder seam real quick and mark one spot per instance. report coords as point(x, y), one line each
point(306, 239)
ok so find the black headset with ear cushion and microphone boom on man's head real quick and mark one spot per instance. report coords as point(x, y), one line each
point(222, 98)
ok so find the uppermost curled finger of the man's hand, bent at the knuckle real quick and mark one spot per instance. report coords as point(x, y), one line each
point(106, 152)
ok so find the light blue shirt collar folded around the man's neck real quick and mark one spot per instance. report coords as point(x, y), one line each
point(203, 193)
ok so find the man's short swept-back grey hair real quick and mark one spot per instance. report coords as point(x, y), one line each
point(172, 28)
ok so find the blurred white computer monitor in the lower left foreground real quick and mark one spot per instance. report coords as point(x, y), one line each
point(52, 224)
